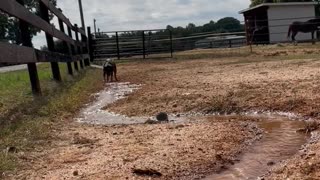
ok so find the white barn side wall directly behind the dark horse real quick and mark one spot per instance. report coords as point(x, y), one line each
point(279, 28)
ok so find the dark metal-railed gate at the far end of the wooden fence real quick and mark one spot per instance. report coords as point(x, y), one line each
point(132, 44)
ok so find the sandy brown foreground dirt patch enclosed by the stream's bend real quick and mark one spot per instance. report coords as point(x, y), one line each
point(177, 151)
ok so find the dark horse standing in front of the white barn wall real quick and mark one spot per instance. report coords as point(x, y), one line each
point(305, 27)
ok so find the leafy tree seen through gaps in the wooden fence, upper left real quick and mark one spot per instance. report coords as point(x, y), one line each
point(9, 26)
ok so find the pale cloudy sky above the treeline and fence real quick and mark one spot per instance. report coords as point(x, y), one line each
point(119, 15)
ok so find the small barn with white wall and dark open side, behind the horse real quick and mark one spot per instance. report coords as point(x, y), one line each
point(269, 22)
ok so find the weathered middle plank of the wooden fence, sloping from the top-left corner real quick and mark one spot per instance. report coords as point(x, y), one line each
point(15, 9)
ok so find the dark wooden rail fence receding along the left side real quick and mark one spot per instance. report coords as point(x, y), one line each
point(25, 54)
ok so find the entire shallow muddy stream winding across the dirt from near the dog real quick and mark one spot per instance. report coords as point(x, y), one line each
point(279, 142)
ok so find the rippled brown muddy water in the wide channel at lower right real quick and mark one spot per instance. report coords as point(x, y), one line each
point(279, 142)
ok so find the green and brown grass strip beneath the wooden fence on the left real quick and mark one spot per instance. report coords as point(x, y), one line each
point(25, 122)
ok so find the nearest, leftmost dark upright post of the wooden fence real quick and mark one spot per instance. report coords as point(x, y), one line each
point(32, 67)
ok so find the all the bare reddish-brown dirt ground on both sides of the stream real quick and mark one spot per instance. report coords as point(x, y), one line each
point(273, 78)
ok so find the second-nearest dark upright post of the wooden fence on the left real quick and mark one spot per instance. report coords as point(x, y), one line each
point(54, 65)
